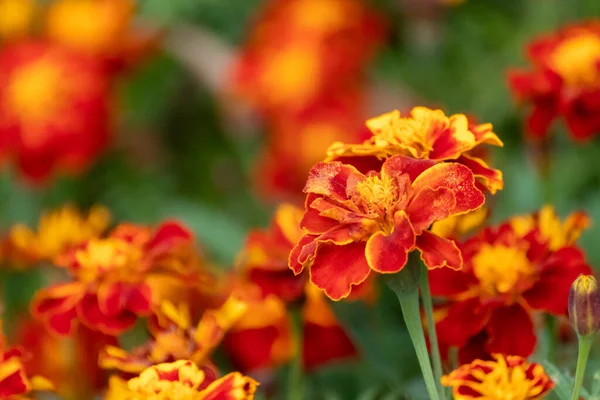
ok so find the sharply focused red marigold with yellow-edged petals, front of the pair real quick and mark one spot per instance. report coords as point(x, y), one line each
point(357, 223)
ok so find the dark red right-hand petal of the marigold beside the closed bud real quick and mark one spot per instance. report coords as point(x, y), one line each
point(551, 291)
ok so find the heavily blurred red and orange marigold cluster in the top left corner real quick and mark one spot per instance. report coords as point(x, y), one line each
point(56, 89)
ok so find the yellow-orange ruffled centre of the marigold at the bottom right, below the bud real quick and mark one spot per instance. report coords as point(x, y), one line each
point(506, 383)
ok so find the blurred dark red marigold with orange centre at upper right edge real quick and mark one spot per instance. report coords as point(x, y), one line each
point(564, 81)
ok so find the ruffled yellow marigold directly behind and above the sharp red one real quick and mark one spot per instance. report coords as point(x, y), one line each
point(424, 134)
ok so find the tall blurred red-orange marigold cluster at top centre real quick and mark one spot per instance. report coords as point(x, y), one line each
point(303, 68)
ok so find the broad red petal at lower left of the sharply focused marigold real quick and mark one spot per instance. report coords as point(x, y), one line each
point(337, 268)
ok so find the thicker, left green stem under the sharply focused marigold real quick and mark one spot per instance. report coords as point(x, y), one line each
point(412, 318)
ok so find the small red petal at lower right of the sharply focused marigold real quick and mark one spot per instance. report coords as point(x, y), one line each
point(437, 252)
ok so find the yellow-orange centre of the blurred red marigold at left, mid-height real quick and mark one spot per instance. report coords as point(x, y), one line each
point(102, 256)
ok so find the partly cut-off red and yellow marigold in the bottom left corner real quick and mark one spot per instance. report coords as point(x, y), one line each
point(14, 380)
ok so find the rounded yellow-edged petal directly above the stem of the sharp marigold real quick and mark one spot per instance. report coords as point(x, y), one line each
point(388, 254)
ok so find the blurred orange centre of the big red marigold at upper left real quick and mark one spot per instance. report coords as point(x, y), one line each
point(36, 93)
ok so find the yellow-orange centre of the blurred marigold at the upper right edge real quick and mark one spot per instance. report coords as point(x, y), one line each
point(576, 60)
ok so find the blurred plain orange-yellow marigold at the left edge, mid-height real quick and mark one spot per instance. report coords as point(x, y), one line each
point(58, 231)
